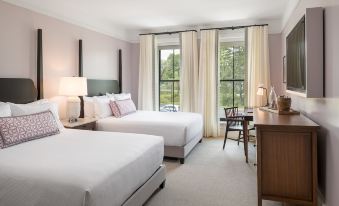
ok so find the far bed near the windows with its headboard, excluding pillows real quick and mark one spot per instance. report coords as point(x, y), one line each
point(181, 130)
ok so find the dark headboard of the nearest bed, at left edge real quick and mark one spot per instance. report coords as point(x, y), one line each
point(17, 90)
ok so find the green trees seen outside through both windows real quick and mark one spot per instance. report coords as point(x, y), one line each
point(231, 55)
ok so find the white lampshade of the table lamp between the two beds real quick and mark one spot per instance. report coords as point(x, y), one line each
point(73, 86)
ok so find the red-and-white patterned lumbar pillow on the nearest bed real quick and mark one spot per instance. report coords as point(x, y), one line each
point(19, 129)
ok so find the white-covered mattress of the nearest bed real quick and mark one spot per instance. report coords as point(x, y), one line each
point(78, 168)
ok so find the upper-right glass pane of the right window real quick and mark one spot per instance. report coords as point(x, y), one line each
point(239, 62)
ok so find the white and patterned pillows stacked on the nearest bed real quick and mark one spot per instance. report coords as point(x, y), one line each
point(24, 122)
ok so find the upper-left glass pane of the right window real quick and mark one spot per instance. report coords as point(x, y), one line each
point(226, 62)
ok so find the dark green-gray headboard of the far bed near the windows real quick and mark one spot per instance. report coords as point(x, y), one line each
point(97, 87)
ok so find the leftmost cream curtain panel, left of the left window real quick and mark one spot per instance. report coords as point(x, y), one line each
point(146, 73)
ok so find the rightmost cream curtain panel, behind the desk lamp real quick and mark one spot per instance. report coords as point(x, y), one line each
point(258, 64)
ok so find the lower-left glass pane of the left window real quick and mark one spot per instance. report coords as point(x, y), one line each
point(166, 91)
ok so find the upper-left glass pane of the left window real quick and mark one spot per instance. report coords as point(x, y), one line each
point(166, 64)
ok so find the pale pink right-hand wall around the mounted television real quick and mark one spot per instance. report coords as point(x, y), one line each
point(324, 111)
